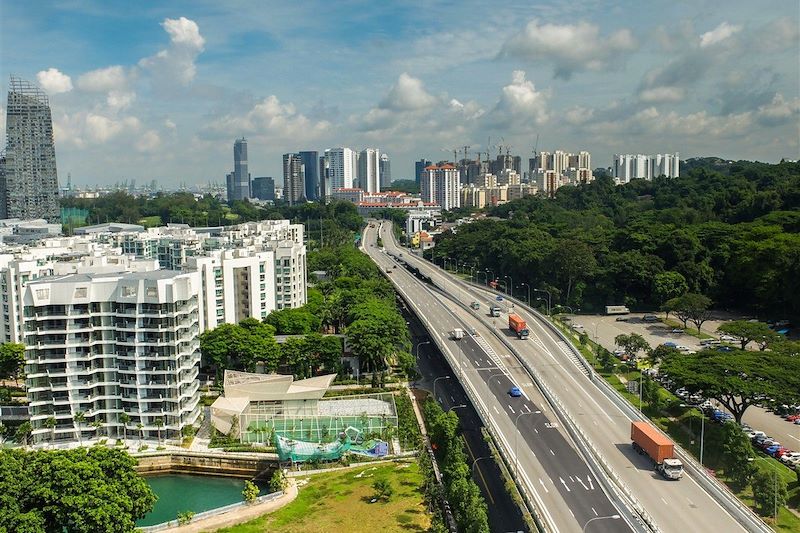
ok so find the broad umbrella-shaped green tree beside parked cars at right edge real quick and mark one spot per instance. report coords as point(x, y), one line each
point(736, 379)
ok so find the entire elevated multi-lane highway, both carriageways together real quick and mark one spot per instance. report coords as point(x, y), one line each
point(549, 463)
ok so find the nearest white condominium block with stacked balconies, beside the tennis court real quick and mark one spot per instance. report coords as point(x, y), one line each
point(105, 345)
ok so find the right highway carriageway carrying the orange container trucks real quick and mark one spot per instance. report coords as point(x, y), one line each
point(678, 506)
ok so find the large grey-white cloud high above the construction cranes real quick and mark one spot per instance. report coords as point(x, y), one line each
point(571, 47)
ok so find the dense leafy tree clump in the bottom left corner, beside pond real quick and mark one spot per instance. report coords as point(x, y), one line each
point(76, 490)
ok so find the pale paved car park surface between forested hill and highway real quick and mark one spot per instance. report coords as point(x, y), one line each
point(602, 329)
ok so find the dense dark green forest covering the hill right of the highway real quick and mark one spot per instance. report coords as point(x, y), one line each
point(728, 232)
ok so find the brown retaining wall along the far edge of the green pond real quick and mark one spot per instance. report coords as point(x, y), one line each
point(246, 466)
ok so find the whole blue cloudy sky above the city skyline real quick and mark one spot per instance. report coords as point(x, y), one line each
point(160, 90)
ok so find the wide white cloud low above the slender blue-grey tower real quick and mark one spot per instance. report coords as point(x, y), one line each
point(270, 118)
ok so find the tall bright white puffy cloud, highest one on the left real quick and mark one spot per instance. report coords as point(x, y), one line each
point(177, 62)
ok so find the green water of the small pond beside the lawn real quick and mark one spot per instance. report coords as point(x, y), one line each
point(180, 492)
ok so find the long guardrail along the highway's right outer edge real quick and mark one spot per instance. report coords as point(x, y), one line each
point(745, 516)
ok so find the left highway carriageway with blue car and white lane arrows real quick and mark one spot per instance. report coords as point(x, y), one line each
point(567, 493)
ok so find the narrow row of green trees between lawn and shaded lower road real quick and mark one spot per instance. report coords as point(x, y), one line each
point(466, 501)
